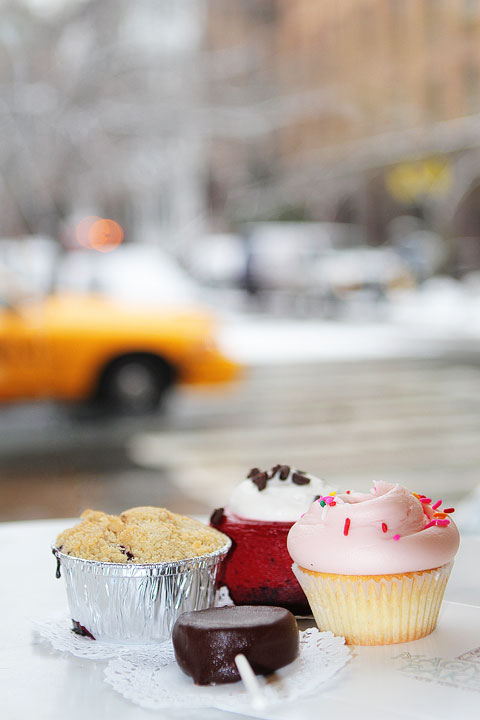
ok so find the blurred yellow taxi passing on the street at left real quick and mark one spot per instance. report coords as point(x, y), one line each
point(124, 354)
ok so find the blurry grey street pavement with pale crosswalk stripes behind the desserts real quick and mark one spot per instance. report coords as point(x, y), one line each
point(416, 421)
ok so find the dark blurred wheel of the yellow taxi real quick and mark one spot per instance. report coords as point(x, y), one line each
point(134, 385)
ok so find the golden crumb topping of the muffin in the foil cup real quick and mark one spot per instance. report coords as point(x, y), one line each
point(139, 535)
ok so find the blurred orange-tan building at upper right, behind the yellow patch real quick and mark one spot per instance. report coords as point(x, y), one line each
point(402, 79)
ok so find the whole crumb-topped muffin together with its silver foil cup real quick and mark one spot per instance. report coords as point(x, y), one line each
point(128, 577)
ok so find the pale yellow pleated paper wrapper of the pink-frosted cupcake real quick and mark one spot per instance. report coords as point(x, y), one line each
point(375, 609)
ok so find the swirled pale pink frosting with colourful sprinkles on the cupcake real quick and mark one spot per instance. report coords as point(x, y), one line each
point(386, 533)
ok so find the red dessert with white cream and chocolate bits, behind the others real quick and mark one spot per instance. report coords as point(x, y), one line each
point(258, 517)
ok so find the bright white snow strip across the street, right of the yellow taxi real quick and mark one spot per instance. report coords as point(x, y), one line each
point(442, 314)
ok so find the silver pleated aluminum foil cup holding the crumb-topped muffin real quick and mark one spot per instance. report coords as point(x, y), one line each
point(130, 603)
